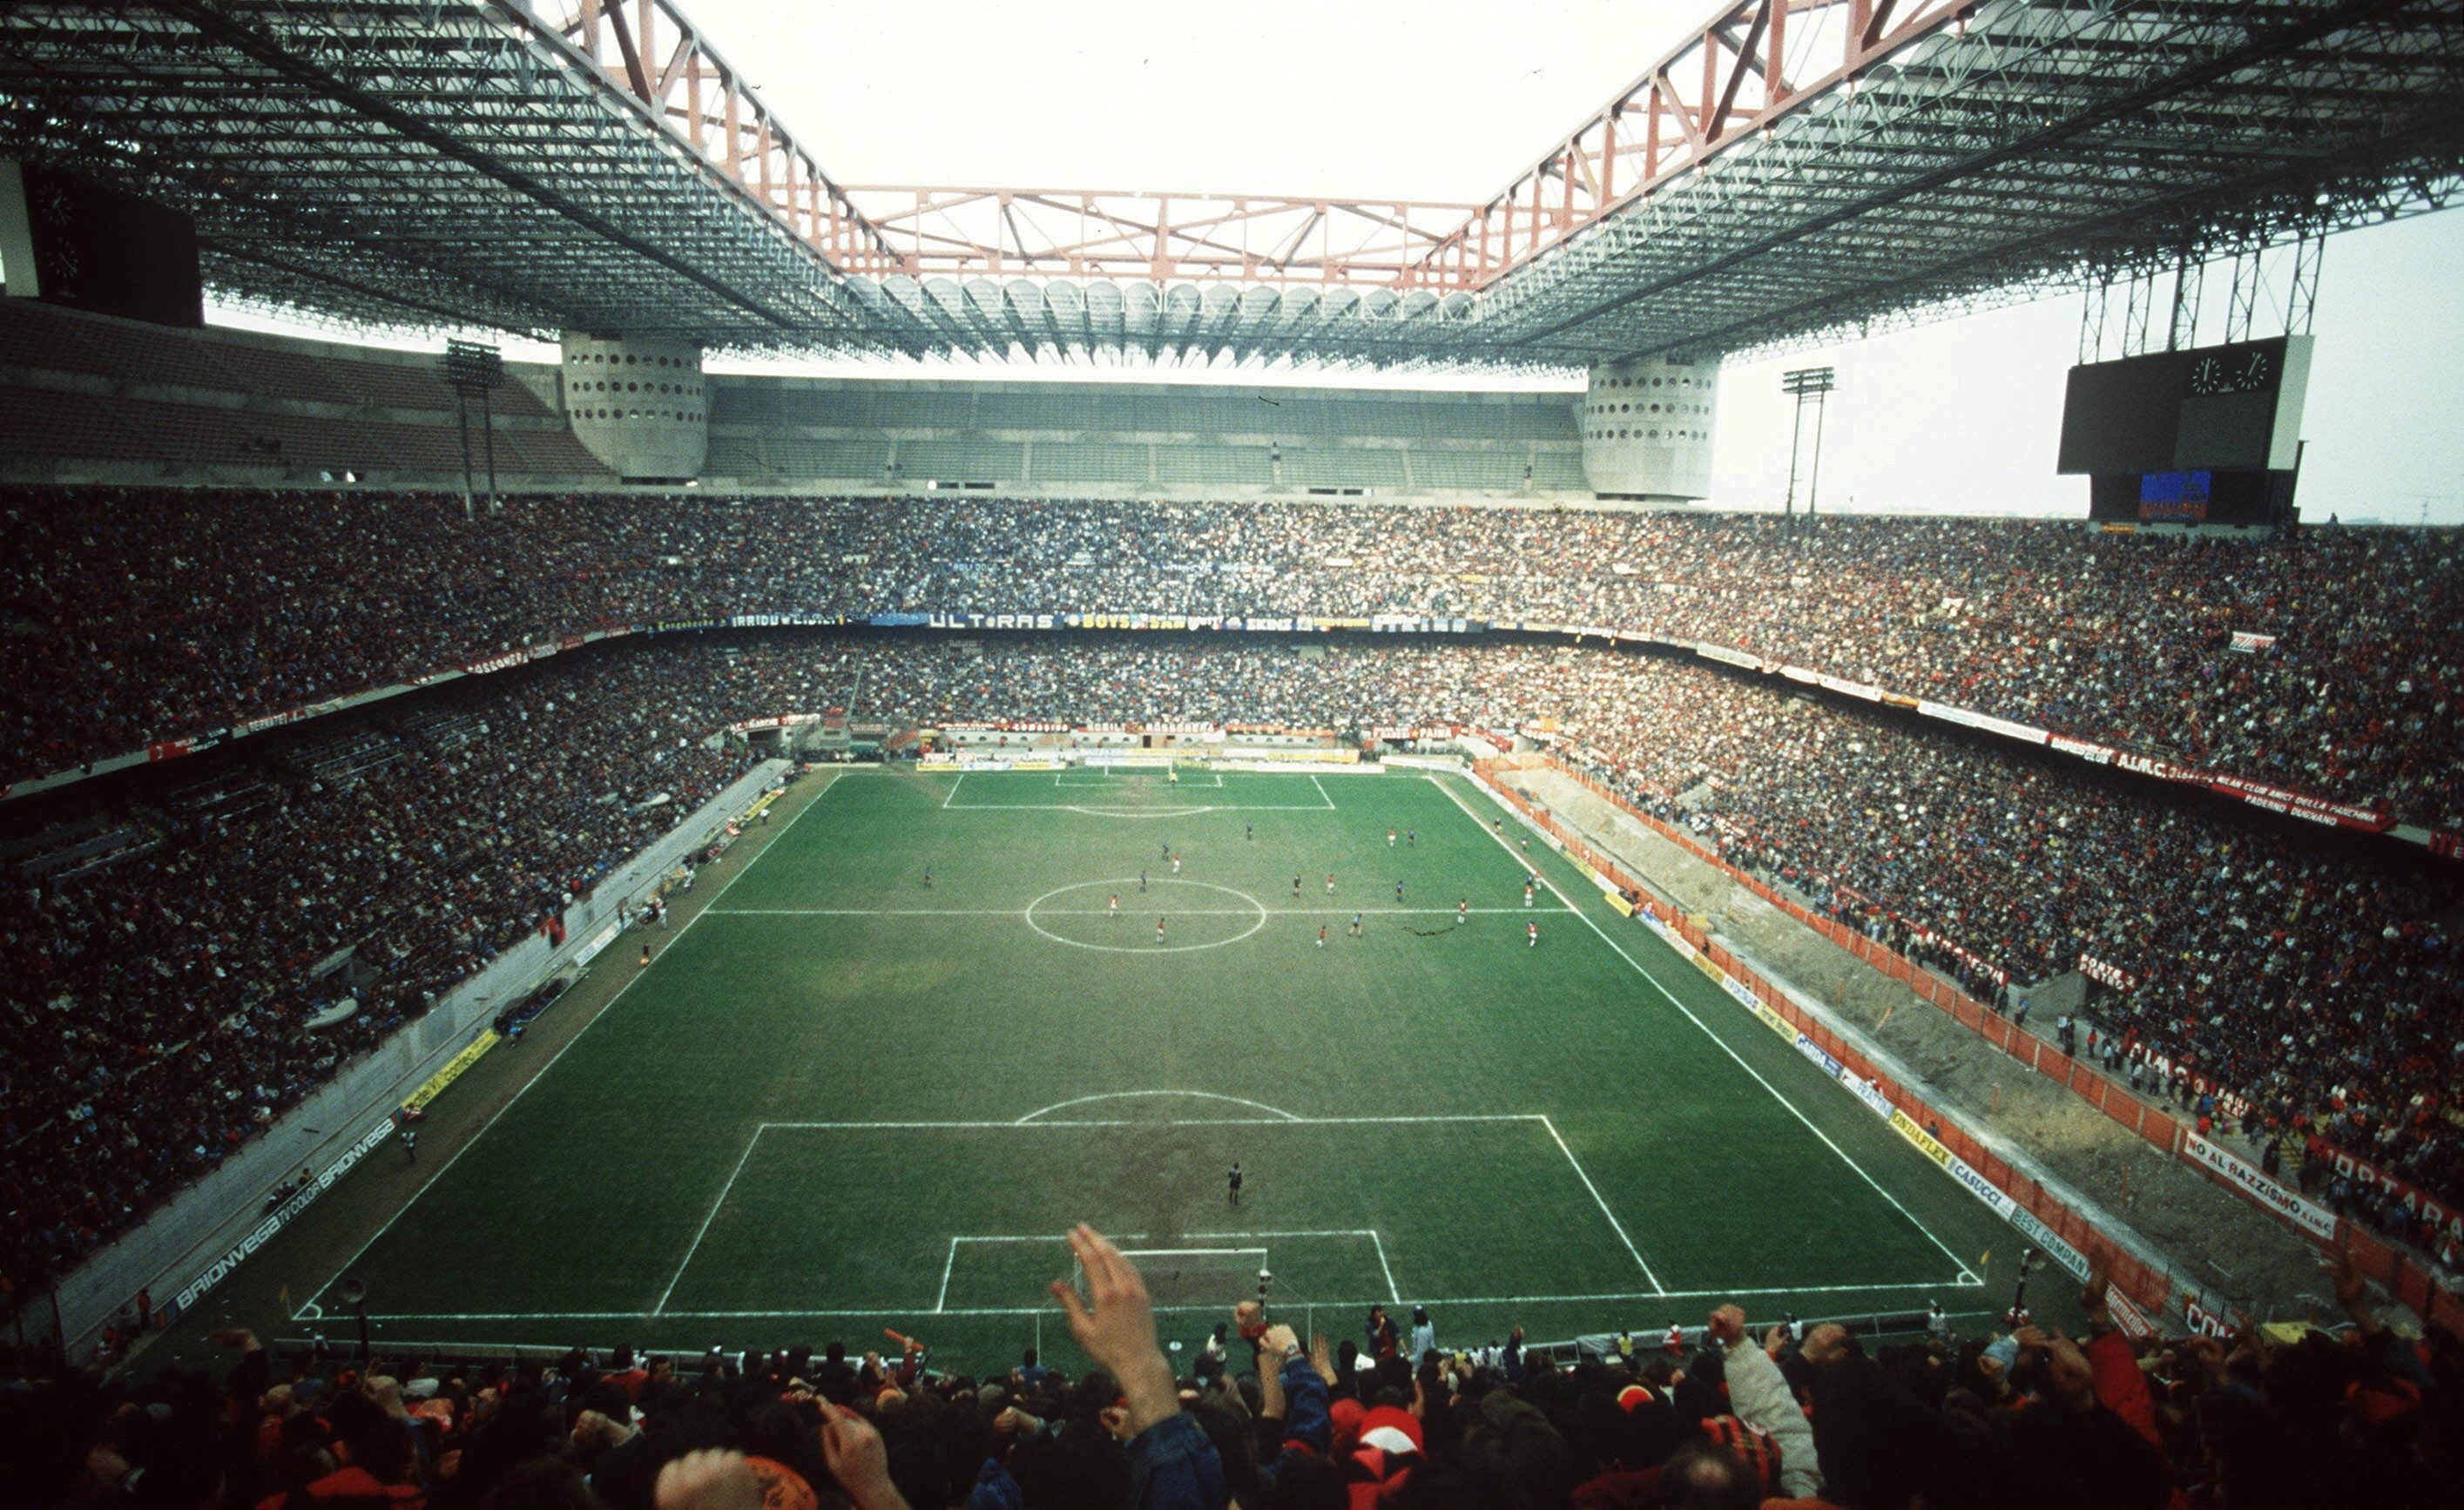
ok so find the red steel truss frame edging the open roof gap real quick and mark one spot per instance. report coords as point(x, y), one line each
point(1731, 78)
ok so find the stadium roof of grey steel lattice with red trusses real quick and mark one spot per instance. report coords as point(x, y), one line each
point(1788, 171)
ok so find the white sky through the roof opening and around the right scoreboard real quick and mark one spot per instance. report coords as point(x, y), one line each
point(1448, 102)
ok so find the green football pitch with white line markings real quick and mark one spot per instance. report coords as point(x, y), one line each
point(945, 1016)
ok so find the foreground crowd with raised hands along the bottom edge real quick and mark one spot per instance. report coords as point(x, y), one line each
point(1716, 1418)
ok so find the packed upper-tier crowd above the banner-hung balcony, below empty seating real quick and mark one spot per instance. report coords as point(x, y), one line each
point(164, 615)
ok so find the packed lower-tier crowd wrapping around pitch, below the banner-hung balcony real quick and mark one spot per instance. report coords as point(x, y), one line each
point(156, 1011)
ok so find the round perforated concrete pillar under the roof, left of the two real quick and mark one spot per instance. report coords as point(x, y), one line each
point(639, 405)
